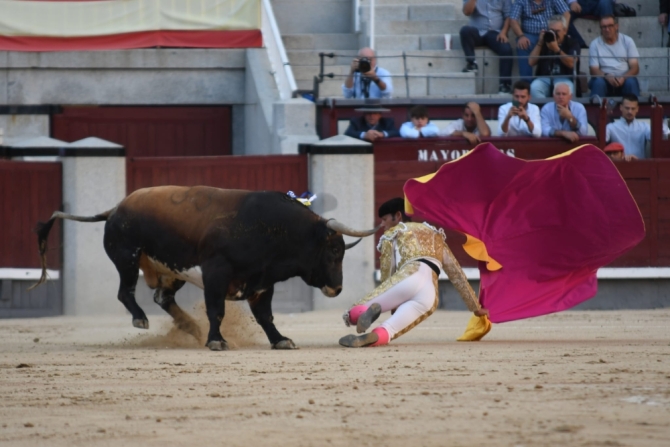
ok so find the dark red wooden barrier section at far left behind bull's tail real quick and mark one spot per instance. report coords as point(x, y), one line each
point(29, 192)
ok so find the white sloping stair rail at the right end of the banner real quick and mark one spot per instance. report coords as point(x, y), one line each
point(281, 67)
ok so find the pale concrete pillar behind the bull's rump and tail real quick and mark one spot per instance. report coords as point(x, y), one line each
point(91, 185)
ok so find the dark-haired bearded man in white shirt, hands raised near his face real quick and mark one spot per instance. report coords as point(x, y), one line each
point(519, 117)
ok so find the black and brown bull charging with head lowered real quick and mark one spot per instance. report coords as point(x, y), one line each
point(234, 244)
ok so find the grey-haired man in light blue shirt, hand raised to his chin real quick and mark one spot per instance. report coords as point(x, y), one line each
point(563, 117)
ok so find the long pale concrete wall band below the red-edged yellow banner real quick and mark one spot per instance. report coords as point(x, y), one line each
point(149, 76)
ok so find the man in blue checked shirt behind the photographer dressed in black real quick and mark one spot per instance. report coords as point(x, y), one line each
point(527, 19)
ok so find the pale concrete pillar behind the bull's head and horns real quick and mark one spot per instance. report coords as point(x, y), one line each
point(346, 188)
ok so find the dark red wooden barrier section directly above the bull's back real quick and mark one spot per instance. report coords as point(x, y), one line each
point(274, 172)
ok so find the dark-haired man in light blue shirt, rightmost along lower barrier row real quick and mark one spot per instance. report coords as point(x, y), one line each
point(628, 131)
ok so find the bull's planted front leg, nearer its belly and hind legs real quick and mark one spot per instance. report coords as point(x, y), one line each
point(216, 276)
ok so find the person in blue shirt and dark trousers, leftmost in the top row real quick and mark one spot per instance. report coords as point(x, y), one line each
point(489, 24)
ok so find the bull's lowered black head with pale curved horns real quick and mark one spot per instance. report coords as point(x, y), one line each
point(327, 271)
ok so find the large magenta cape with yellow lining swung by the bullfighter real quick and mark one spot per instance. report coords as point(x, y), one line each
point(540, 229)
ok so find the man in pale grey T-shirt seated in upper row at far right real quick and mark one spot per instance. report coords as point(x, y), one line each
point(613, 62)
